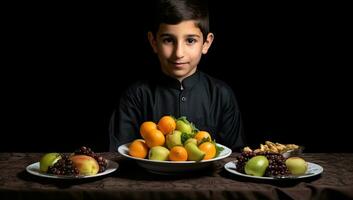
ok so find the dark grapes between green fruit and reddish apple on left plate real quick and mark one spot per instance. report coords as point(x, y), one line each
point(64, 166)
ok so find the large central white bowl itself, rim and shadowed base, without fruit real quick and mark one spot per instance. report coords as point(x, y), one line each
point(170, 167)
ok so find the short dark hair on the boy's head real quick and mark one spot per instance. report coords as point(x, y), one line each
point(176, 11)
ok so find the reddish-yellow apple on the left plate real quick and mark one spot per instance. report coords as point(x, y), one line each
point(86, 165)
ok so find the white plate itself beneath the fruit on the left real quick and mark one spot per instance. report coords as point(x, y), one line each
point(34, 169)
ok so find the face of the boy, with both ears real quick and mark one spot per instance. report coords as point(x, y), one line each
point(179, 48)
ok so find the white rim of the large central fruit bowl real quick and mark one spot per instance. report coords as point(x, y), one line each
point(123, 149)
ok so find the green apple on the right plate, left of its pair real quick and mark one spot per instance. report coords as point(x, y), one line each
point(256, 166)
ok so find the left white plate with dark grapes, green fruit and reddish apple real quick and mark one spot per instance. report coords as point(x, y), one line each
point(82, 163)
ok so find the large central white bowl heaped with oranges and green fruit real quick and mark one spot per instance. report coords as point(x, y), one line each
point(173, 146)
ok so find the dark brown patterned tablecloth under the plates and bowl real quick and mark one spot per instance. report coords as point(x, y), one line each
point(132, 182)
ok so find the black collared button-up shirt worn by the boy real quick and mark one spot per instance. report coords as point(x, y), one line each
point(205, 101)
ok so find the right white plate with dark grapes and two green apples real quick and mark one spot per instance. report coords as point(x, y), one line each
point(272, 165)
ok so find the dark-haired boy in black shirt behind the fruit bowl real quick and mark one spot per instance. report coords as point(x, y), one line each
point(179, 36)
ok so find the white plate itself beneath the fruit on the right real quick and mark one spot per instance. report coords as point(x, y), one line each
point(313, 170)
